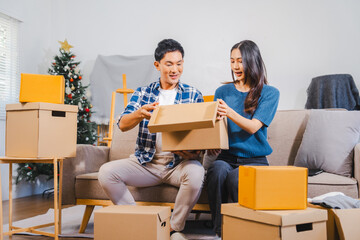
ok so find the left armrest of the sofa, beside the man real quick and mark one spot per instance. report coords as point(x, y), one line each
point(88, 159)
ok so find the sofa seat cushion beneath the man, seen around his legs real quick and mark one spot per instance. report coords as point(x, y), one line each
point(87, 186)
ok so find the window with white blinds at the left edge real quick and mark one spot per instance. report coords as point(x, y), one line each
point(9, 62)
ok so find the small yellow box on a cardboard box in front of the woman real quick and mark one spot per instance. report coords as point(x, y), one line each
point(273, 187)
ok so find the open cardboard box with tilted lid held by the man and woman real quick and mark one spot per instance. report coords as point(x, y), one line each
point(190, 126)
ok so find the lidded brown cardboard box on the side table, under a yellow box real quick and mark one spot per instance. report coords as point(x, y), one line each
point(41, 130)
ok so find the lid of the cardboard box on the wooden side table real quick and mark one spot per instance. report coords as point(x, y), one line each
point(41, 106)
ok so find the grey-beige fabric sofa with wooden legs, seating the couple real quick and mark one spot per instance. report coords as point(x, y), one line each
point(80, 185)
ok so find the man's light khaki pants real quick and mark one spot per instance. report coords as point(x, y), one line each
point(188, 175)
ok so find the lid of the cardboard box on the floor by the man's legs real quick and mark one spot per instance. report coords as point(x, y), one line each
point(162, 212)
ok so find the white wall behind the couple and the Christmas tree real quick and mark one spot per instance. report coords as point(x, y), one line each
point(298, 39)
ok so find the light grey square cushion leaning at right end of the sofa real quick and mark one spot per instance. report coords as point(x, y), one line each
point(329, 140)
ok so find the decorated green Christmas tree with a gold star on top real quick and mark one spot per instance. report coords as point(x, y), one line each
point(75, 94)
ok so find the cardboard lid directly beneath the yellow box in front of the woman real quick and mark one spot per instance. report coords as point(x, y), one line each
point(277, 218)
